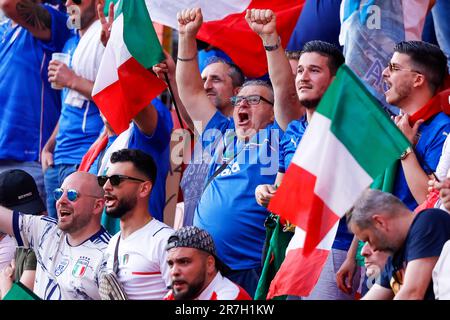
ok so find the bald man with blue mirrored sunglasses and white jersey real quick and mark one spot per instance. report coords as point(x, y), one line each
point(70, 252)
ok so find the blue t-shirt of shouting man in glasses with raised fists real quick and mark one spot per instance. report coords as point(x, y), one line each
point(227, 208)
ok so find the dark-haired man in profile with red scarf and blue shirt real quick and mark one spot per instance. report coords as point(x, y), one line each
point(413, 77)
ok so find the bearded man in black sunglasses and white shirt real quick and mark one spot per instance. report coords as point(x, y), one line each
point(140, 245)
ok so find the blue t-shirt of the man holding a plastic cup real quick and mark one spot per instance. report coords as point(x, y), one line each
point(78, 127)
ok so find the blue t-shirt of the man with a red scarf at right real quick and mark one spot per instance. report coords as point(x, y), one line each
point(428, 151)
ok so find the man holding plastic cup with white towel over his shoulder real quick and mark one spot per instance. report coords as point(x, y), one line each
point(80, 123)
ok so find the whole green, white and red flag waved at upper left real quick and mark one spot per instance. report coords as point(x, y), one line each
point(124, 83)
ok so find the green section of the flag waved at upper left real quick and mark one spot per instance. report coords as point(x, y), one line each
point(139, 35)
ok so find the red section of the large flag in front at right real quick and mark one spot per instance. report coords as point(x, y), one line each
point(296, 201)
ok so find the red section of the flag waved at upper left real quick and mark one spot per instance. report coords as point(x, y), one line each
point(124, 99)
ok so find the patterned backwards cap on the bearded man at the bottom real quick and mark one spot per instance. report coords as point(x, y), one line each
point(193, 237)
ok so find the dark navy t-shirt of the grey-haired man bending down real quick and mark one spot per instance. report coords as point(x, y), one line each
point(426, 238)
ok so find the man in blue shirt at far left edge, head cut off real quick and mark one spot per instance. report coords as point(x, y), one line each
point(30, 108)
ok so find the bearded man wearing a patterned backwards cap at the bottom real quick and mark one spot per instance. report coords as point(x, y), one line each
point(196, 271)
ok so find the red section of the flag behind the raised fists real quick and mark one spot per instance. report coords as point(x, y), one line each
point(233, 35)
